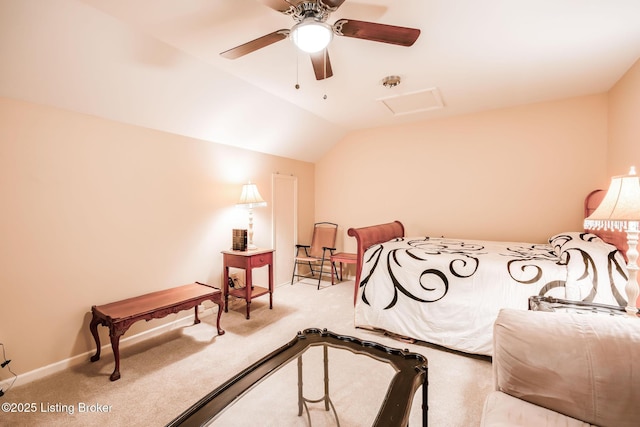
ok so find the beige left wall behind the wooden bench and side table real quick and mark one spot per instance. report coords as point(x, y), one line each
point(94, 211)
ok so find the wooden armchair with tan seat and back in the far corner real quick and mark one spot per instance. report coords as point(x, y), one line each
point(317, 253)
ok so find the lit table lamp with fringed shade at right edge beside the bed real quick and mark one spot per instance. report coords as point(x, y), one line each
point(620, 210)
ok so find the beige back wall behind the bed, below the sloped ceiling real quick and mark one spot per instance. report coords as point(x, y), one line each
point(514, 174)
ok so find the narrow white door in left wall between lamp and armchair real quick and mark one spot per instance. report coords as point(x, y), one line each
point(285, 225)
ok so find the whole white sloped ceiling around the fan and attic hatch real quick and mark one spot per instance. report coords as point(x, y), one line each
point(156, 63)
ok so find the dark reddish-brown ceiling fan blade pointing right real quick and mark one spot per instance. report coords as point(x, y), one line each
point(402, 36)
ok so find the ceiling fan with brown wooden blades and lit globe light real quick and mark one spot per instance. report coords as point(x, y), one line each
point(312, 34)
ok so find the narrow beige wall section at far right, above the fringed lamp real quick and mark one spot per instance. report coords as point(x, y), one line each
point(624, 124)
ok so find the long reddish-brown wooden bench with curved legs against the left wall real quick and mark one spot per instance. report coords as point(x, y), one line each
point(119, 316)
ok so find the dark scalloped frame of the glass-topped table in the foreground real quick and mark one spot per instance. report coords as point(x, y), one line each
point(411, 373)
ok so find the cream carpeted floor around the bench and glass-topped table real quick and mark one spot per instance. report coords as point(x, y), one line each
point(163, 376)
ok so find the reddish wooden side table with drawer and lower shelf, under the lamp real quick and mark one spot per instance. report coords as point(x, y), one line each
point(247, 260)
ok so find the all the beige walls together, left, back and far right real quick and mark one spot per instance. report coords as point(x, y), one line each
point(94, 210)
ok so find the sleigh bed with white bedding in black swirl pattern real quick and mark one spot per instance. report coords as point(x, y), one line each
point(448, 292)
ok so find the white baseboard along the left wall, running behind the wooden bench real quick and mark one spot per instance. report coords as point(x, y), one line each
point(125, 342)
